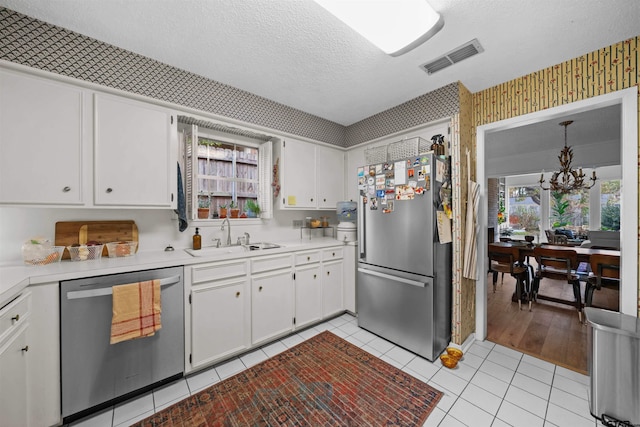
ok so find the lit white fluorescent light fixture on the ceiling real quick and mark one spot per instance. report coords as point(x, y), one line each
point(395, 26)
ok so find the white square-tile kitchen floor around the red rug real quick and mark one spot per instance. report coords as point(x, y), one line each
point(492, 385)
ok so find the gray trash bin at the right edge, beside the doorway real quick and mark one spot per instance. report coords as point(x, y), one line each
point(614, 365)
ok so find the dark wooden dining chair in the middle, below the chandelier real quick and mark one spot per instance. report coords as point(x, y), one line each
point(557, 264)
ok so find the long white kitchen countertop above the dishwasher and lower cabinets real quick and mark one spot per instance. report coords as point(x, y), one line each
point(15, 278)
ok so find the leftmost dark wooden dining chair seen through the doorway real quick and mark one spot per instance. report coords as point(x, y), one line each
point(507, 259)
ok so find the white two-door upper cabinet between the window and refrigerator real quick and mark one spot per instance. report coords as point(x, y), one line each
point(311, 176)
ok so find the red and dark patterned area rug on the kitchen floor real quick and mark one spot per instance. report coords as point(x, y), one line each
point(324, 381)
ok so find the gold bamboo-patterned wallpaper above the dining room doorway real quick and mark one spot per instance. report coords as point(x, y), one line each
point(597, 73)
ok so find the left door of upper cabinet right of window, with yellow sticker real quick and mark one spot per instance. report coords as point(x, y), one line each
point(298, 175)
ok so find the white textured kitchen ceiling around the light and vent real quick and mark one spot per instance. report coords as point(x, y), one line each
point(295, 53)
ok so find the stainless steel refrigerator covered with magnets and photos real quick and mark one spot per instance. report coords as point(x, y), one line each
point(404, 271)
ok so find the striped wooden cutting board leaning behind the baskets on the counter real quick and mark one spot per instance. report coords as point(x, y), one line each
point(80, 232)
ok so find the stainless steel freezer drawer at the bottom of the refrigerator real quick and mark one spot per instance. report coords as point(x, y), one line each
point(400, 308)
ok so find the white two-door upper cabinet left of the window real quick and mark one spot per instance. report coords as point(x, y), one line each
point(57, 148)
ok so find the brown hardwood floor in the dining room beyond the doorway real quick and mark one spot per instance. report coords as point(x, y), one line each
point(550, 331)
